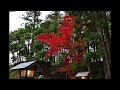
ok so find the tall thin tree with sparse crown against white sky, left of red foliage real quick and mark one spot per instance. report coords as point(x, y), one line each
point(33, 22)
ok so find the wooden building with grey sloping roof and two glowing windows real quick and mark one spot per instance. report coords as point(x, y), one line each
point(32, 69)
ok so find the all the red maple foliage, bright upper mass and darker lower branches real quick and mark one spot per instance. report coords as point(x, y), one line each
point(62, 40)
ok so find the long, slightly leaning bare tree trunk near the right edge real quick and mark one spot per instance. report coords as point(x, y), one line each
point(104, 46)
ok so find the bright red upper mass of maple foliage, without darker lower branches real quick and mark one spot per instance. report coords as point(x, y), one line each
point(57, 41)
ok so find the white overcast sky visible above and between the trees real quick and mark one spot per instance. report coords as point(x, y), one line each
point(15, 21)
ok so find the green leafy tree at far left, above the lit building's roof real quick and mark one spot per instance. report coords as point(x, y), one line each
point(17, 44)
